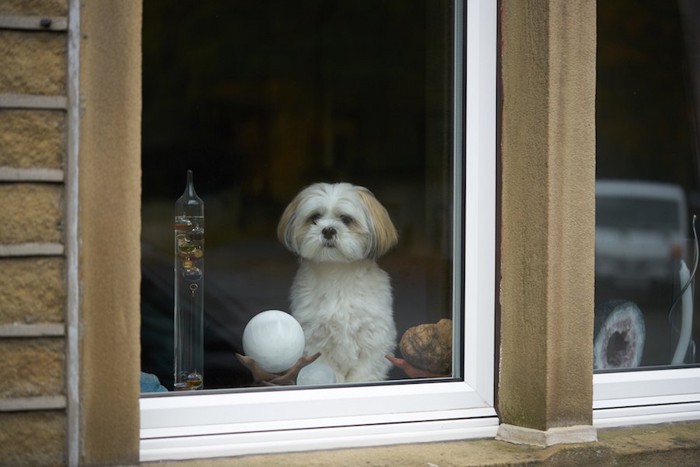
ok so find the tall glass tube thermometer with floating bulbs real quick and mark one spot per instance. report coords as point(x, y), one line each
point(189, 290)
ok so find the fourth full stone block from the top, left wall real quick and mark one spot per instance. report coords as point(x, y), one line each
point(33, 290)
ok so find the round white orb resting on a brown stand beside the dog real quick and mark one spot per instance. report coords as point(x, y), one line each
point(274, 339)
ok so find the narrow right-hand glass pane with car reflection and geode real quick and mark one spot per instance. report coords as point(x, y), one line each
point(647, 190)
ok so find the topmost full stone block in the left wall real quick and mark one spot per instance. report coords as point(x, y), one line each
point(33, 62)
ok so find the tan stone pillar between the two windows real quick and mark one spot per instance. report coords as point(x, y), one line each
point(547, 214)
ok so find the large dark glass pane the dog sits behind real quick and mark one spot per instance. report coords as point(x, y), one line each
point(261, 99)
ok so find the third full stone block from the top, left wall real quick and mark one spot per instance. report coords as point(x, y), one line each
point(30, 213)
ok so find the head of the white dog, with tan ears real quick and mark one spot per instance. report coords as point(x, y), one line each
point(336, 223)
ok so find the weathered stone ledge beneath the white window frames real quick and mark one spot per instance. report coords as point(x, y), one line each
point(674, 444)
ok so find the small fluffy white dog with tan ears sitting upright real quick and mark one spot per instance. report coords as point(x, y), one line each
point(341, 298)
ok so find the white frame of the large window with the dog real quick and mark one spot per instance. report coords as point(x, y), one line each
point(296, 419)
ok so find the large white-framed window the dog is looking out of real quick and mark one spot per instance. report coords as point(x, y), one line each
point(358, 91)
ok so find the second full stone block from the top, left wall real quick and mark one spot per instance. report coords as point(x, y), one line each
point(32, 139)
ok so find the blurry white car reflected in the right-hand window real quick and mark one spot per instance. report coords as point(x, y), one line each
point(641, 229)
